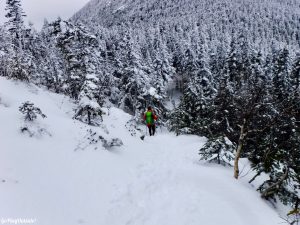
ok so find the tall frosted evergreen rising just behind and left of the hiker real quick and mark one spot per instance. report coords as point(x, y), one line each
point(133, 81)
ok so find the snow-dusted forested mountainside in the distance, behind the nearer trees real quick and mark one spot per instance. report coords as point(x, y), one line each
point(264, 22)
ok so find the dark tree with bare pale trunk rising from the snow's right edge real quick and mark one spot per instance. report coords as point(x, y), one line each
point(239, 109)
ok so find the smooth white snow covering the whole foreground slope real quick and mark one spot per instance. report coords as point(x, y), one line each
point(57, 178)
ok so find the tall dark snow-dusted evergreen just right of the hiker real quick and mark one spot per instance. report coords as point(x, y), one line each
point(197, 97)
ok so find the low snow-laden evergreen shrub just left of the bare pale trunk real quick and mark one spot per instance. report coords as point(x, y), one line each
point(219, 150)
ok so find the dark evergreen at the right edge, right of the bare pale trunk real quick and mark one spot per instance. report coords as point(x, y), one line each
point(277, 154)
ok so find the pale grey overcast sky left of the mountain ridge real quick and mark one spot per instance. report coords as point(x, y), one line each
point(37, 10)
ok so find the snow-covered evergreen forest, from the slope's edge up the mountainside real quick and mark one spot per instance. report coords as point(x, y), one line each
point(230, 69)
